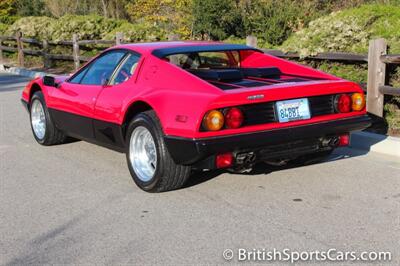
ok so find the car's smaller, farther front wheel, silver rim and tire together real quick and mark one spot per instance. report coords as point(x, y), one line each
point(43, 128)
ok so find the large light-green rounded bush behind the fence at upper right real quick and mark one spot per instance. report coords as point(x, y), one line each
point(348, 31)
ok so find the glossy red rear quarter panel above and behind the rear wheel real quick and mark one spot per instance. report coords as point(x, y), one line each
point(171, 92)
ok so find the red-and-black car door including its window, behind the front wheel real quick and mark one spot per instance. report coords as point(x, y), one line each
point(72, 104)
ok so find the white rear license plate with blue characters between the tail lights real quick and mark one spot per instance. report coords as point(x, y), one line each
point(292, 110)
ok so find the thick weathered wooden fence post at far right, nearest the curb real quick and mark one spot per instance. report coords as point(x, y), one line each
point(376, 76)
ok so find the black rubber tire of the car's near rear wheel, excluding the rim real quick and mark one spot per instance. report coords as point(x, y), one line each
point(167, 175)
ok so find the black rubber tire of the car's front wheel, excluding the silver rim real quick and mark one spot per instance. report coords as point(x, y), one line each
point(52, 135)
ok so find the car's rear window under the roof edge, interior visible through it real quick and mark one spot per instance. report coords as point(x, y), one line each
point(205, 60)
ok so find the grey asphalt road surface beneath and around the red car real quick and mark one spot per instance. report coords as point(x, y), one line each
point(76, 203)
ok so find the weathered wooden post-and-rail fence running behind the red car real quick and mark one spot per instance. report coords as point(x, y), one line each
point(377, 59)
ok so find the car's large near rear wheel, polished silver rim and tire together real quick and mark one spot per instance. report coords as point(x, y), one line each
point(149, 161)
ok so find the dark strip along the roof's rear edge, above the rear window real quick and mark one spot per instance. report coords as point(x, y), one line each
point(163, 52)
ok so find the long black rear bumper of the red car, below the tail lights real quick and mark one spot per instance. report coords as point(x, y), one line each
point(190, 151)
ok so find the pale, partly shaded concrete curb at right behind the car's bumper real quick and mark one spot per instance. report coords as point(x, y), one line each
point(376, 143)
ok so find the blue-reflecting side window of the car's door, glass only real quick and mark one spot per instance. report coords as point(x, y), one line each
point(101, 70)
